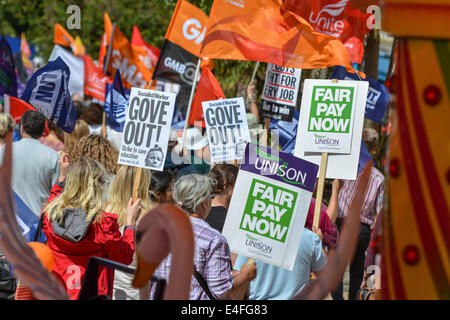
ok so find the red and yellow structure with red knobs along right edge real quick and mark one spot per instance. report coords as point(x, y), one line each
point(415, 244)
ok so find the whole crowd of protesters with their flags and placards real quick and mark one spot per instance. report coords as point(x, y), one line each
point(90, 164)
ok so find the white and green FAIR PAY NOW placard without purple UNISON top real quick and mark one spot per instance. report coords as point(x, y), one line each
point(340, 166)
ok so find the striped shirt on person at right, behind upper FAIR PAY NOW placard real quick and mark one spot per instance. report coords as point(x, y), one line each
point(373, 201)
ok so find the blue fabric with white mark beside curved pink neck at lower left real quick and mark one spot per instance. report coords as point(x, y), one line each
point(27, 220)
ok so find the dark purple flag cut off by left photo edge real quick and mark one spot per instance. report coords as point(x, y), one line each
point(8, 79)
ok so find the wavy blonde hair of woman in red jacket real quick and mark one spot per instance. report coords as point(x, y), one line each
point(83, 189)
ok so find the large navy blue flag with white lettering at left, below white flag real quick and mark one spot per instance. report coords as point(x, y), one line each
point(48, 91)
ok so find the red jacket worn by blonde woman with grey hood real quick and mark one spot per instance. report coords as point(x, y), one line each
point(103, 239)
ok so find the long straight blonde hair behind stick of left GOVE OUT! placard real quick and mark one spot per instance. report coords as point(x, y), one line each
point(121, 189)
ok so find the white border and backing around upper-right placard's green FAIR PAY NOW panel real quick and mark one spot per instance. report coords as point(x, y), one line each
point(340, 166)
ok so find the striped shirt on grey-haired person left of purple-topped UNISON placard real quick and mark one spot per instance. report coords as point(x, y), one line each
point(211, 259)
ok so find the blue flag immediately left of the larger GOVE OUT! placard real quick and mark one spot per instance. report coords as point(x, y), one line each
point(116, 103)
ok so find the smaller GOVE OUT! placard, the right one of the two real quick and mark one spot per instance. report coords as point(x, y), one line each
point(227, 128)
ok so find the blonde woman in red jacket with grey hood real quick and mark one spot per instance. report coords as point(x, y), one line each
point(77, 227)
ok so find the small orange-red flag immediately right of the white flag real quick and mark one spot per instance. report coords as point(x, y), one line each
point(94, 80)
